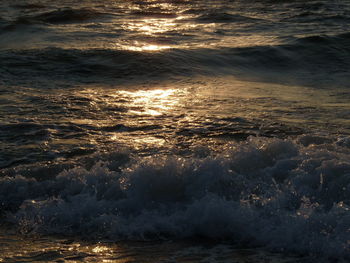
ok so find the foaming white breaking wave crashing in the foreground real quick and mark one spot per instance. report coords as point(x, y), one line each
point(262, 192)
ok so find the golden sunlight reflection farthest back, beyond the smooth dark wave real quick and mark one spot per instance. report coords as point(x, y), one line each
point(157, 33)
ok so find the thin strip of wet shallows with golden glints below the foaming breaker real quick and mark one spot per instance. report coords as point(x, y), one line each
point(50, 249)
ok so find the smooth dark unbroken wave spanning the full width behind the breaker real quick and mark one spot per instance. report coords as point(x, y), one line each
point(305, 55)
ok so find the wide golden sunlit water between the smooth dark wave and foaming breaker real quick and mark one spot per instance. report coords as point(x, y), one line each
point(151, 115)
